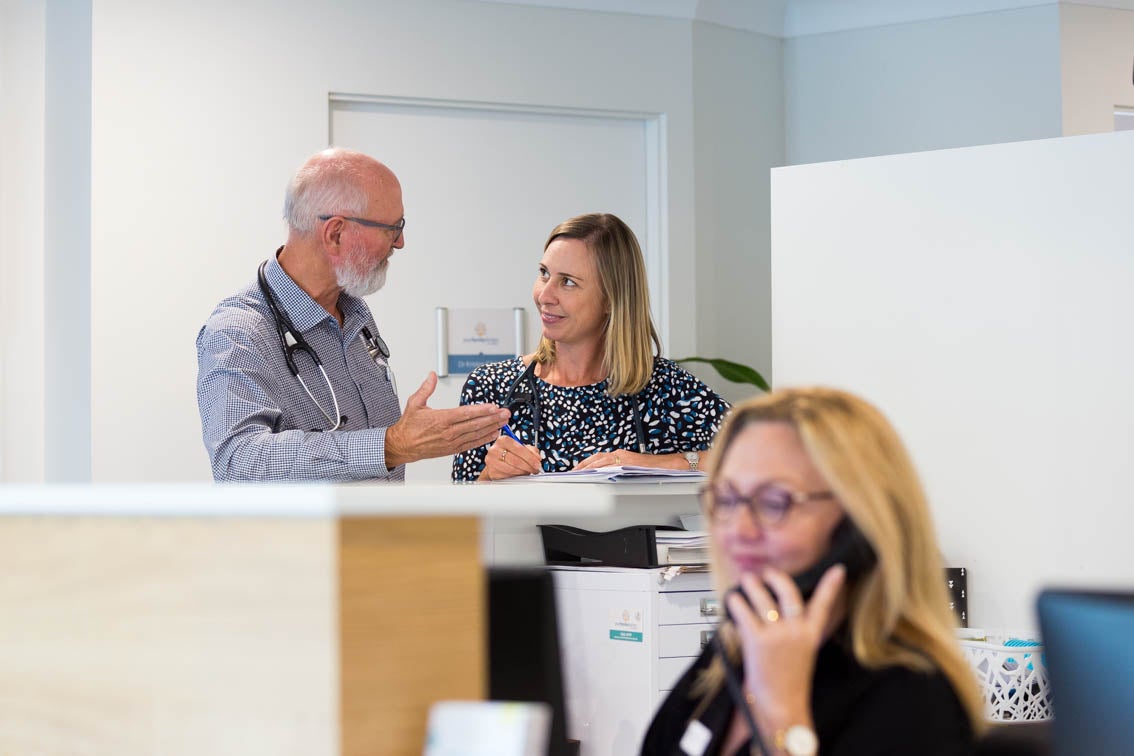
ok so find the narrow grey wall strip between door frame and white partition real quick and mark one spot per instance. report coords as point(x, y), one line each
point(739, 125)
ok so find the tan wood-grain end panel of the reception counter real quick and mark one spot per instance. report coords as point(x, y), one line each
point(412, 601)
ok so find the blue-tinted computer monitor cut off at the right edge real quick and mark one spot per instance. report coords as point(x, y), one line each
point(1087, 639)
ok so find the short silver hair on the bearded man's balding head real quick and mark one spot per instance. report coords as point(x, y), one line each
point(331, 185)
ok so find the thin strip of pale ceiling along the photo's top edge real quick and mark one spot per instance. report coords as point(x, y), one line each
point(800, 18)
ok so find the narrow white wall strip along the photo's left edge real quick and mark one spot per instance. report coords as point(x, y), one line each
point(22, 283)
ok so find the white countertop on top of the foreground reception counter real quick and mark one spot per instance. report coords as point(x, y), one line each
point(307, 500)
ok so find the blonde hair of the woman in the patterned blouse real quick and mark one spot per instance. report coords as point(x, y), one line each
point(631, 341)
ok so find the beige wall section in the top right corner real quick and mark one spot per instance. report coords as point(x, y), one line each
point(1097, 69)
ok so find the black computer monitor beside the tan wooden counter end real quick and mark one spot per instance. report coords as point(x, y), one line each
point(524, 662)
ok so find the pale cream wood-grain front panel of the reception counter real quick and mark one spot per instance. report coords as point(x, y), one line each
point(168, 636)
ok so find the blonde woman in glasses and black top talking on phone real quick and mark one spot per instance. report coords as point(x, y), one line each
point(813, 489)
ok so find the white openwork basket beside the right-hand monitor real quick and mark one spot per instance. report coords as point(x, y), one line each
point(1012, 674)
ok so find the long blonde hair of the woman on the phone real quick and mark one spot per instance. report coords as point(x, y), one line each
point(899, 613)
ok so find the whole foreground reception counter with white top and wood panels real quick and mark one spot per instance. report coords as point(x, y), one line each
point(249, 619)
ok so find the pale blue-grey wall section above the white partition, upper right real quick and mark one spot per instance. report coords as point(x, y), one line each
point(925, 86)
